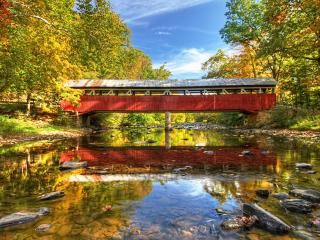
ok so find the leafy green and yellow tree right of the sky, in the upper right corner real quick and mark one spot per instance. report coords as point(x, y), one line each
point(284, 37)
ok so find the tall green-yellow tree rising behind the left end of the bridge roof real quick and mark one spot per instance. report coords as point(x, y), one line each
point(99, 38)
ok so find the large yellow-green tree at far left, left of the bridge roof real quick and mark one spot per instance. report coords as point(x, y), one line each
point(37, 55)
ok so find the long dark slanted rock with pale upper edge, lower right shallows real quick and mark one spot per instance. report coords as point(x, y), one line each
point(266, 220)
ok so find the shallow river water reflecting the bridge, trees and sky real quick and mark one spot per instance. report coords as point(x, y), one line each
point(168, 189)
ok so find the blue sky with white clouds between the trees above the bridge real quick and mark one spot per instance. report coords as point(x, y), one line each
point(182, 34)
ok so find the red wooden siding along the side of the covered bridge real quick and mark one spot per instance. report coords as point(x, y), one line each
point(197, 103)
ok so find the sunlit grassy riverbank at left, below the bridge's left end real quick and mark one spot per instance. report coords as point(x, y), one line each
point(13, 131)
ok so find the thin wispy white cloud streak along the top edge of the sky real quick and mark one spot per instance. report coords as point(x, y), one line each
point(132, 10)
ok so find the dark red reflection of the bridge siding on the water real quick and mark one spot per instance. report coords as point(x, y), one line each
point(176, 156)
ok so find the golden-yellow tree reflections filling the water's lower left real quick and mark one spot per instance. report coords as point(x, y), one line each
point(81, 212)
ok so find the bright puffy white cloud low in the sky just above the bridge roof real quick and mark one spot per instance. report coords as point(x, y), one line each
point(188, 62)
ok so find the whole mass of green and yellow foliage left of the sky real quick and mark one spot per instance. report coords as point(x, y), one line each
point(49, 42)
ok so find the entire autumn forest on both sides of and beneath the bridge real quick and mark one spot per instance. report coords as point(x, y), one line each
point(44, 43)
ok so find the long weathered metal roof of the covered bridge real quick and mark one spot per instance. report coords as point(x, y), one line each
point(192, 83)
